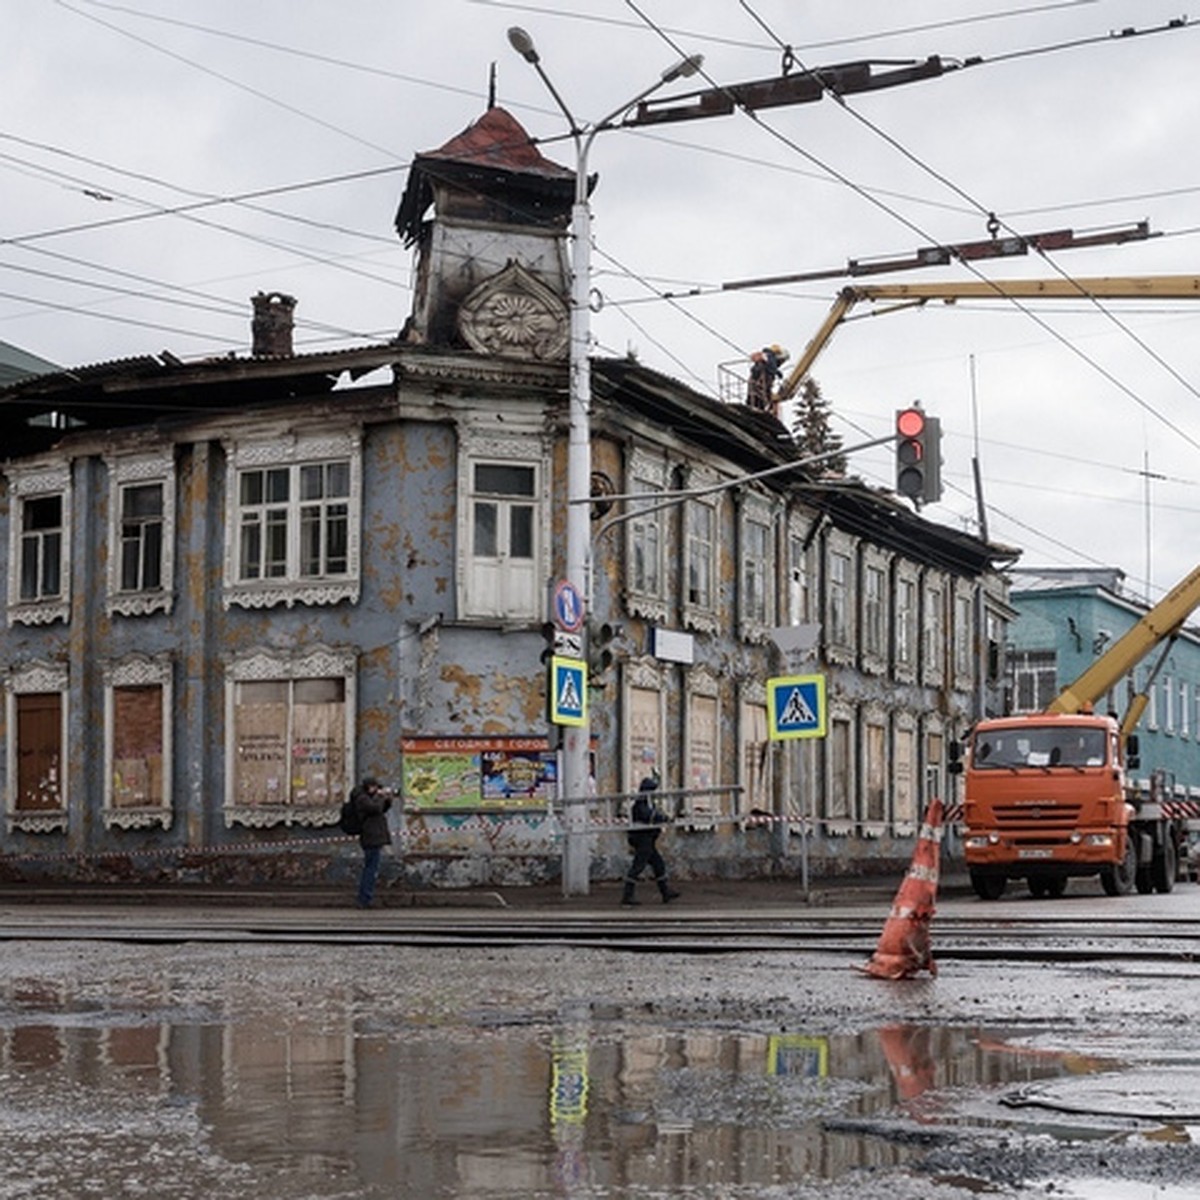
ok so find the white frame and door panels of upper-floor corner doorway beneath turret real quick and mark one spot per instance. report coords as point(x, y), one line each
point(497, 589)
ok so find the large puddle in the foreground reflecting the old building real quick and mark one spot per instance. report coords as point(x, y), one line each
point(331, 1105)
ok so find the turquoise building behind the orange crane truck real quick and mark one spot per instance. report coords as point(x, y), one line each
point(1066, 620)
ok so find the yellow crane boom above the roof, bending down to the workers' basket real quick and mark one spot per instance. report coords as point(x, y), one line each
point(907, 296)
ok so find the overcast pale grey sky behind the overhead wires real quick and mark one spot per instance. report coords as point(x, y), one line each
point(160, 164)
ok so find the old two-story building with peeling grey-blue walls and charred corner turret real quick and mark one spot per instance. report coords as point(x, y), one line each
point(236, 586)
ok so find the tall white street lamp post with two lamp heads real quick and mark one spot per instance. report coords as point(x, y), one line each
point(574, 788)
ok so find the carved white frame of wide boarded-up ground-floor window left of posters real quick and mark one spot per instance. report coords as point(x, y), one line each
point(273, 667)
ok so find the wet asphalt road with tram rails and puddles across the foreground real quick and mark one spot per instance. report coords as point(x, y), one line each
point(1075, 1078)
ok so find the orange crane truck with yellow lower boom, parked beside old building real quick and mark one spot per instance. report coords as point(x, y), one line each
point(1047, 796)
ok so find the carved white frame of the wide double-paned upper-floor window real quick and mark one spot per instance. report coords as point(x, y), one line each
point(292, 453)
